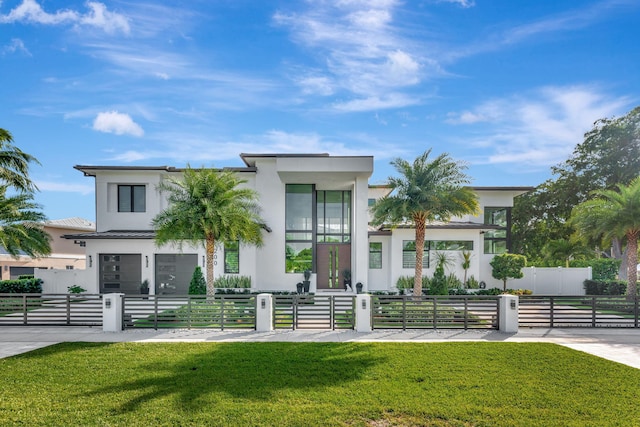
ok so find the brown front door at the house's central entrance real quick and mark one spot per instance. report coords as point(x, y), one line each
point(332, 259)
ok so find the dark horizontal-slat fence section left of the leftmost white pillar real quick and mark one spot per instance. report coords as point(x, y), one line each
point(50, 310)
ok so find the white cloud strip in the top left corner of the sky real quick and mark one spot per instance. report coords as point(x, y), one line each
point(30, 11)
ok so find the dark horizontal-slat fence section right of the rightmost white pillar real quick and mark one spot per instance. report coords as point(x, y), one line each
point(578, 311)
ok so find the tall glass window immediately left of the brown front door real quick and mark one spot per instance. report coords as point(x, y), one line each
point(299, 227)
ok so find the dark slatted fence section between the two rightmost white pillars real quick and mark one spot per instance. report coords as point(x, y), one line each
point(431, 312)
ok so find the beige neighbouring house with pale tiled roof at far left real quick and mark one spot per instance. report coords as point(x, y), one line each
point(65, 254)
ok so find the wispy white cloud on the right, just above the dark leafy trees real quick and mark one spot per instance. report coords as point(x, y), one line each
point(540, 128)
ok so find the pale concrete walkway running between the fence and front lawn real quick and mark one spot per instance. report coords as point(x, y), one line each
point(619, 345)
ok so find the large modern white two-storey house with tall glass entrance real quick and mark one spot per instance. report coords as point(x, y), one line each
point(316, 211)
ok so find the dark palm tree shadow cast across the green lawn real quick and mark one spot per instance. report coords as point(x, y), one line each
point(204, 372)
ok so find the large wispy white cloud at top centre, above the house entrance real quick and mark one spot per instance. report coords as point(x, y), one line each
point(360, 51)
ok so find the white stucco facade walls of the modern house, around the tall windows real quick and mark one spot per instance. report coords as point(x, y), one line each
point(123, 250)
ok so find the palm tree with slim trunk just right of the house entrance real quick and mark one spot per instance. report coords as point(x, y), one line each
point(427, 190)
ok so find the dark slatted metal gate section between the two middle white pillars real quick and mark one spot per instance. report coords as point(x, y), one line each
point(314, 312)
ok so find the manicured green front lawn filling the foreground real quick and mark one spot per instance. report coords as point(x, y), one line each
point(310, 384)
